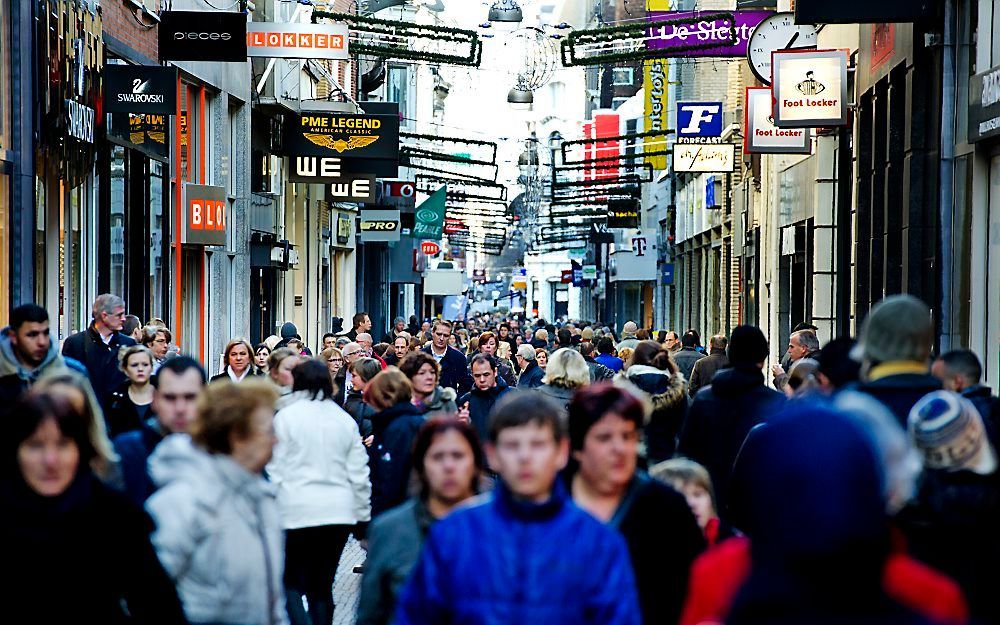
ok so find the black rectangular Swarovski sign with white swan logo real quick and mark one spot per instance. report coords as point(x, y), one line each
point(140, 89)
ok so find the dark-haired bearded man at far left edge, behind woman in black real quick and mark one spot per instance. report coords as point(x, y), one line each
point(26, 354)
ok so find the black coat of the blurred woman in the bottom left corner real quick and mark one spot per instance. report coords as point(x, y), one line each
point(81, 557)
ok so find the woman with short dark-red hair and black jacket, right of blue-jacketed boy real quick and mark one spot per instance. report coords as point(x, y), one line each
point(605, 424)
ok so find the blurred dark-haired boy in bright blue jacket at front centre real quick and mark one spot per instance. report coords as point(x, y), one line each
point(525, 553)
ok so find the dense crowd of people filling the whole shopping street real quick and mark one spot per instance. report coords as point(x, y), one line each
point(499, 470)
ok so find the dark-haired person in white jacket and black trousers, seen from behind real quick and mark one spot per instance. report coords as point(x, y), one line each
point(320, 470)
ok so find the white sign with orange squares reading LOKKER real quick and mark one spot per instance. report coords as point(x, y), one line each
point(292, 40)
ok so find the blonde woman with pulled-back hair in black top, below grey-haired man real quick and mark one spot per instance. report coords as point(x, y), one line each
point(131, 403)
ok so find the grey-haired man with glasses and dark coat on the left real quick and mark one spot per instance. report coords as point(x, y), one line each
point(97, 346)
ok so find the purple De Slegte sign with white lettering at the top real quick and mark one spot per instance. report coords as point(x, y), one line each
point(677, 39)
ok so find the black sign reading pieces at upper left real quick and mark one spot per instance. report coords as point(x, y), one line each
point(214, 36)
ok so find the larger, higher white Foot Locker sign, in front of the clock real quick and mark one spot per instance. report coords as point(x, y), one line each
point(810, 88)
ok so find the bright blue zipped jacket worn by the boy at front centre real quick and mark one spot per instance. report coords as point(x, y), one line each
point(504, 561)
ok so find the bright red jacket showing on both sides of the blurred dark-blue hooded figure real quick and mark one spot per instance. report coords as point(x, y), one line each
point(718, 574)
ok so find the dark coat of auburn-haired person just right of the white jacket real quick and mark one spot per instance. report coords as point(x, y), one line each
point(392, 459)
